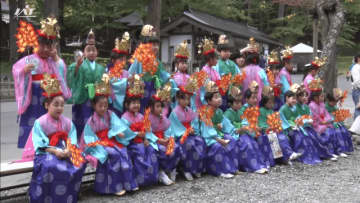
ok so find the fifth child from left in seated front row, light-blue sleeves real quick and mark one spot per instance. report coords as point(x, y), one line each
point(184, 125)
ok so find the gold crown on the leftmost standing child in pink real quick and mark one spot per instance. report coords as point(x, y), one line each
point(49, 28)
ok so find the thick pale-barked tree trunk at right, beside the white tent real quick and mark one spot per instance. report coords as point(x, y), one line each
point(332, 18)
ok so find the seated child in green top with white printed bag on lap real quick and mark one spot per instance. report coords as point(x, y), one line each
point(273, 142)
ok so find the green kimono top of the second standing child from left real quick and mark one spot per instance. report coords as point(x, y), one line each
point(88, 73)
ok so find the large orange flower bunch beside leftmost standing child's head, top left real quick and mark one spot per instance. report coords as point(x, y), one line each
point(26, 37)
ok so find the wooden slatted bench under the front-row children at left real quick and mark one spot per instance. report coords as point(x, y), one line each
point(16, 168)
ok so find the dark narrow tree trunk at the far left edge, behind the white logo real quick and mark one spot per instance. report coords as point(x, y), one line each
point(13, 5)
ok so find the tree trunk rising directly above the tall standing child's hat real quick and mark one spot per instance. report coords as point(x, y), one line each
point(154, 15)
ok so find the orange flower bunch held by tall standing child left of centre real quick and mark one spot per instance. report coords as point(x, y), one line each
point(146, 56)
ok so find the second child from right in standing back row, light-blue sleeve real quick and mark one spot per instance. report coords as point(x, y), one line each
point(284, 77)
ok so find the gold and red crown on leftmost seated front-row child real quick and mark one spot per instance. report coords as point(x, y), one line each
point(51, 86)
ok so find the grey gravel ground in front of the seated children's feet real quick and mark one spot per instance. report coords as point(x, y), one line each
point(326, 182)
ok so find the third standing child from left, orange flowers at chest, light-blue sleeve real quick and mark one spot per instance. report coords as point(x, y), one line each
point(118, 73)
